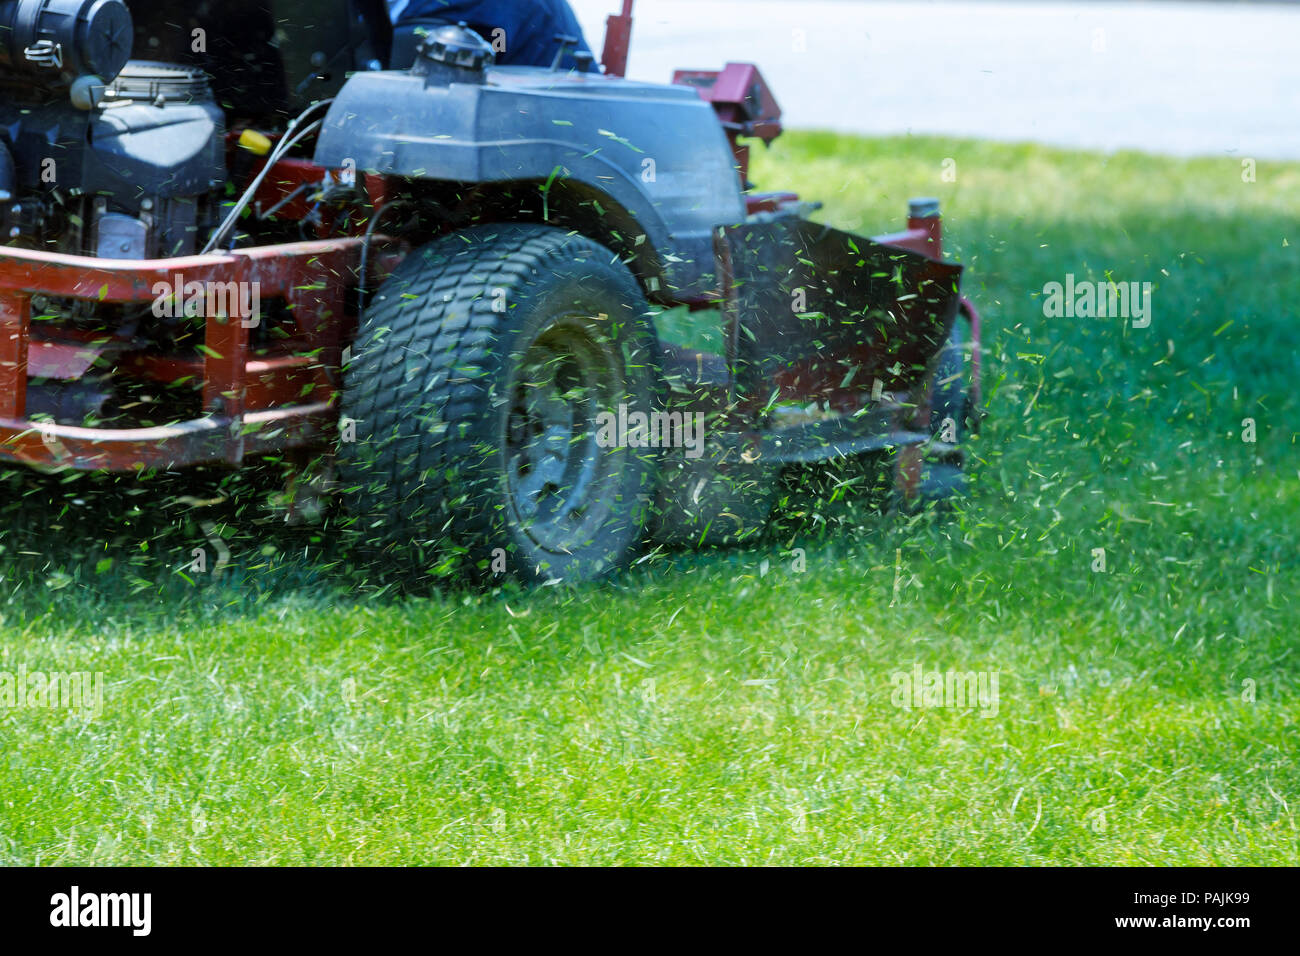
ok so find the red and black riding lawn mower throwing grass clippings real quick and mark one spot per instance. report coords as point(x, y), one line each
point(531, 319)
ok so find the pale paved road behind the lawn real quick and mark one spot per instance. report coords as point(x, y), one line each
point(1184, 79)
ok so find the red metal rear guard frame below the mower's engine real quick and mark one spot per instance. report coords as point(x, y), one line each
point(253, 405)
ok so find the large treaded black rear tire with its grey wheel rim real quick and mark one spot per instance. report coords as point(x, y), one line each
point(465, 365)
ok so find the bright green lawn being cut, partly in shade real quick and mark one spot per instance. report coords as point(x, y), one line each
point(727, 708)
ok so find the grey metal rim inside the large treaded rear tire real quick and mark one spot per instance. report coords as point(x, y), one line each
point(562, 485)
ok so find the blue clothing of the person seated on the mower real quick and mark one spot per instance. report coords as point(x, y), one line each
point(530, 25)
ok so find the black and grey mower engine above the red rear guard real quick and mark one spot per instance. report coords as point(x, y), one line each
point(102, 155)
